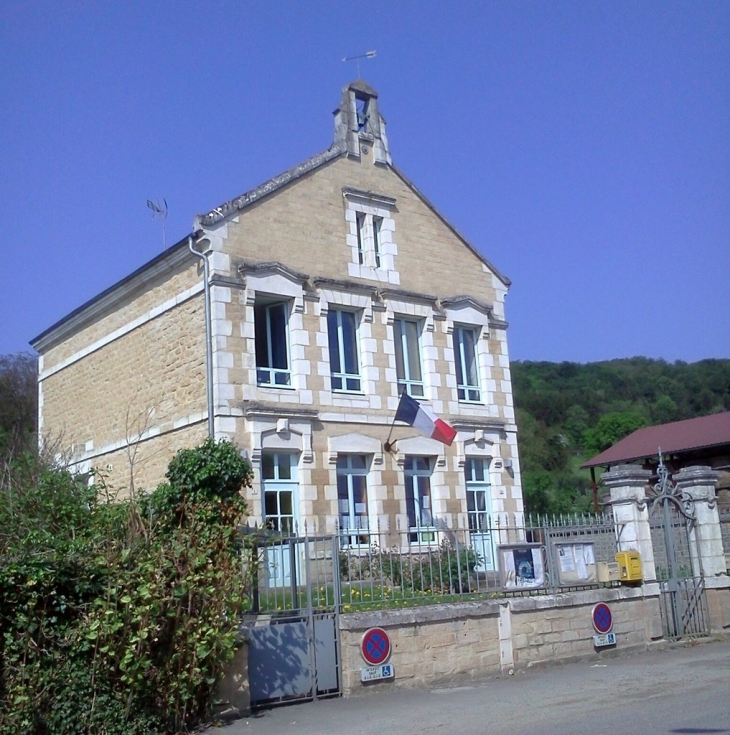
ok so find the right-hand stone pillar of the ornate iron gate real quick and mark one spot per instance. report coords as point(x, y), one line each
point(699, 484)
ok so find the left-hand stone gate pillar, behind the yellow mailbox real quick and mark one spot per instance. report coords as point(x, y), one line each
point(627, 485)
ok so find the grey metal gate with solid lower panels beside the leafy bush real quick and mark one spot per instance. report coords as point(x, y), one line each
point(294, 635)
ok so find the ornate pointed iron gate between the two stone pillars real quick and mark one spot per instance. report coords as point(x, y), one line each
point(677, 559)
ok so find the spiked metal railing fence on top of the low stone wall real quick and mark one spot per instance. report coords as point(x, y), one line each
point(401, 567)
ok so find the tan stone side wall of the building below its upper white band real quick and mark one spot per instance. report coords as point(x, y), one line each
point(147, 388)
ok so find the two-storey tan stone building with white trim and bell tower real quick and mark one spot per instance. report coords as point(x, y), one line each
point(332, 288)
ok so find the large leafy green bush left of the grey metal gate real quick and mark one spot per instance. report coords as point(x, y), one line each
point(119, 618)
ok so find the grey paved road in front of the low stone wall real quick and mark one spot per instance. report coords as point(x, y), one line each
point(681, 690)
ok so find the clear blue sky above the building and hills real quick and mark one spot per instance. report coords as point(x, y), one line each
point(584, 147)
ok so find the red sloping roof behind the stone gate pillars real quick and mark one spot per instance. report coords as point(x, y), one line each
point(674, 438)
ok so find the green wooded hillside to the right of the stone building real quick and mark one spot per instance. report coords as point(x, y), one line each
point(568, 412)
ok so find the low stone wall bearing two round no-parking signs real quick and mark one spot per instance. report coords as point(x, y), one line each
point(460, 642)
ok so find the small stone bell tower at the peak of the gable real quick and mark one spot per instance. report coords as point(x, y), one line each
point(359, 126)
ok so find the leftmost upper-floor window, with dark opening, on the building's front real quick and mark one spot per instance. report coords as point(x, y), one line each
point(272, 348)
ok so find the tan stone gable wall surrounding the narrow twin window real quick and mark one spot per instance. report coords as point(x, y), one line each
point(309, 217)
